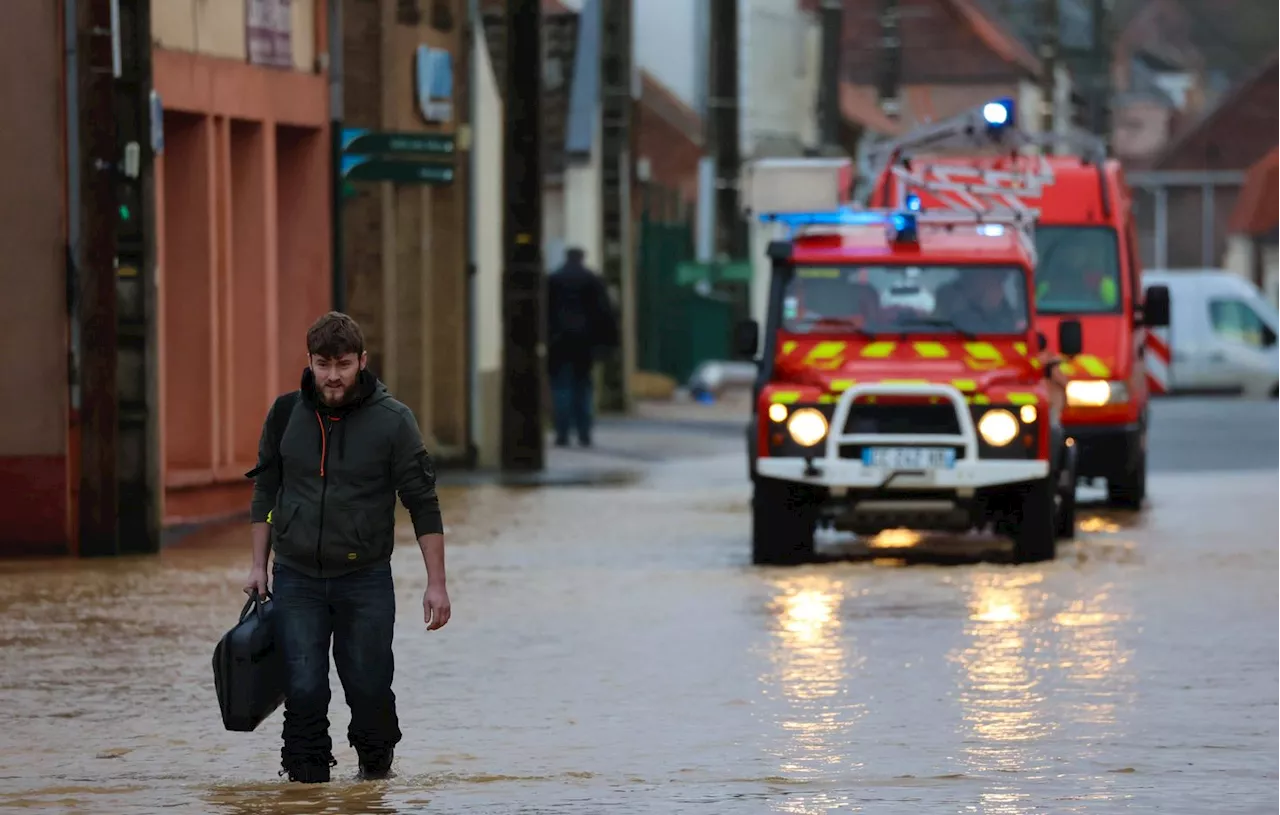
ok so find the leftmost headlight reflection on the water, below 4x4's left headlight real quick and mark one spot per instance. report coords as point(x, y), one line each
point(811, 677)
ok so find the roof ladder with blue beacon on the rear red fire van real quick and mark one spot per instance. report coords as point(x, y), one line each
point(972, 193)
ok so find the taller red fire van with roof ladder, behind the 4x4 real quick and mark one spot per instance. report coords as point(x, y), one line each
point(1089, 267)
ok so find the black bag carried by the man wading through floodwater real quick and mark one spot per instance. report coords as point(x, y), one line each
point(249, 669)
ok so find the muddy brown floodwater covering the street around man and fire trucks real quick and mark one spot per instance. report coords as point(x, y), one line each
point(612, 651)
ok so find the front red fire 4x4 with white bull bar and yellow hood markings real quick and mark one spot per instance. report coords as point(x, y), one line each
point(900, 382)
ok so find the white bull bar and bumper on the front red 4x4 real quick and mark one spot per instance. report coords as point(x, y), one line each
point(967, 473)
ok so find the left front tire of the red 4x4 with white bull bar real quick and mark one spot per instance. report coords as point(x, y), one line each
point(784, 520)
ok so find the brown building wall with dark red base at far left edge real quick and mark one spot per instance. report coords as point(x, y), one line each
point(35, 492)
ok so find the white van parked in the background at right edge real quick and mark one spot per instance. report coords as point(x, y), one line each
point(1223, 335)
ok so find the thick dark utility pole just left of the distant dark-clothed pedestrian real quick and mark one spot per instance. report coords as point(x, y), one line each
point(523, 282)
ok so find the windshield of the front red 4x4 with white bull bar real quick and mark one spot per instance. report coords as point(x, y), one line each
point(893, 300)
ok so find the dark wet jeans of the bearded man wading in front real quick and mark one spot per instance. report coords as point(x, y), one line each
point(358, 611)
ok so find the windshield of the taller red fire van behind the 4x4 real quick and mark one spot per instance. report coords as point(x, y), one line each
point(1077, 271)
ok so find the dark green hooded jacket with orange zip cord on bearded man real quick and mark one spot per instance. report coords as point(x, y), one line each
point(331, 498)
